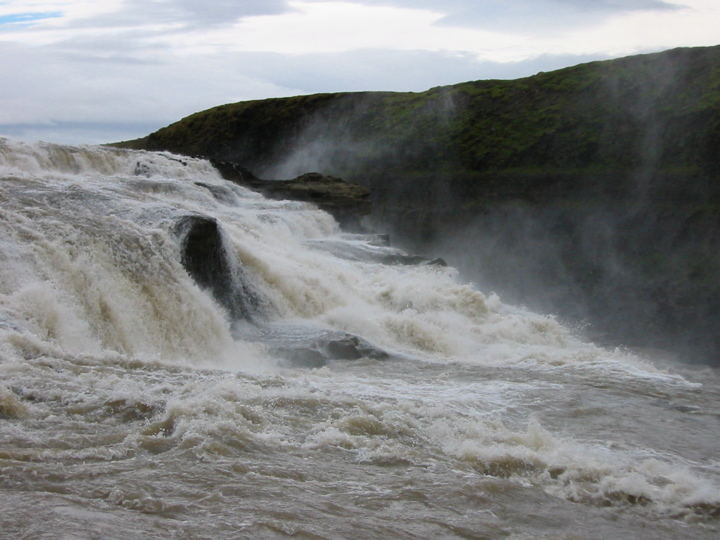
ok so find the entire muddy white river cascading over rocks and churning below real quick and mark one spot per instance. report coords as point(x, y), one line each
point(283, 382)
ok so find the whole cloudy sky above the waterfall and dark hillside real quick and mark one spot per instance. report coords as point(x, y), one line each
point(94, 71)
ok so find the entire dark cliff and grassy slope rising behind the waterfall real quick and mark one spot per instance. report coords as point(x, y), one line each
point(592, 191)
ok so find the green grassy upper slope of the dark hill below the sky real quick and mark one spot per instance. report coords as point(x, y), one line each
point(613, 115)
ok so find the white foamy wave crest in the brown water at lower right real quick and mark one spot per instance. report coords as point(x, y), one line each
point(579, 472)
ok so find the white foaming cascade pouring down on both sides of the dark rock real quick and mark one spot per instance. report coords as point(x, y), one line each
point(92, 265)
